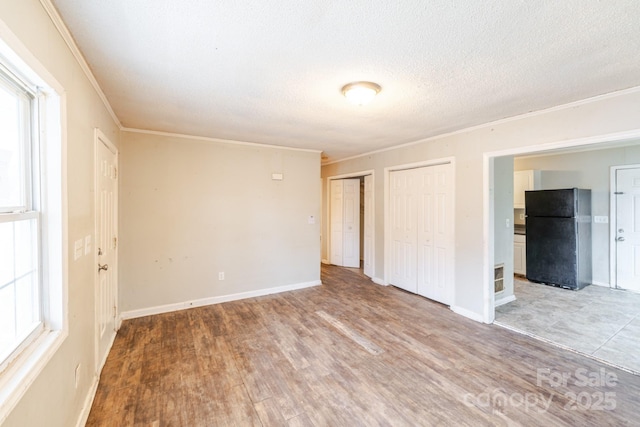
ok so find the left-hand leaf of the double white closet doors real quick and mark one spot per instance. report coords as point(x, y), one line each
point(403, 230)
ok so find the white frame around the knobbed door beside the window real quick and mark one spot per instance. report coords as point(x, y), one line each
point(101, 138)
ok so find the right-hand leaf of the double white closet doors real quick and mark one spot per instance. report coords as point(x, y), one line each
point(435, 233)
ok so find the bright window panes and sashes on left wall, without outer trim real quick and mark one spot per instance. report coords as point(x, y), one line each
point(20, 308)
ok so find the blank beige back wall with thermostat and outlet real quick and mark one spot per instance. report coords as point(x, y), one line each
point(190, 209)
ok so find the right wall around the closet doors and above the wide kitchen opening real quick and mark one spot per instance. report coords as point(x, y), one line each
point(585, 120)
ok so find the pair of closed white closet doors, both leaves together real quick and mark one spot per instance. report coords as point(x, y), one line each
point(421, 214)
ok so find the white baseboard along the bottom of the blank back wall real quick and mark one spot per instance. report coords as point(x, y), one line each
point(214, 300)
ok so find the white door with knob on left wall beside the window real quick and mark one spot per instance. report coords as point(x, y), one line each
point(105, 246)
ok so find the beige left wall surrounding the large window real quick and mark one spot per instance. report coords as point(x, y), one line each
point(53, 400)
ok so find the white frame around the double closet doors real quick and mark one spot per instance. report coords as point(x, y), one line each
point(387, 218)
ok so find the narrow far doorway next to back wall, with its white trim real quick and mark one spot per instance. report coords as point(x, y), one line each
point(352, 221)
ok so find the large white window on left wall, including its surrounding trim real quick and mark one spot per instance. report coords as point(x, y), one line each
point(33, 222)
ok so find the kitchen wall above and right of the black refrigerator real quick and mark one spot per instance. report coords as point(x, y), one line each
point(586, 169)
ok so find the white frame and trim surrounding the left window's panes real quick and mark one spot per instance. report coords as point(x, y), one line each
point(34, 355)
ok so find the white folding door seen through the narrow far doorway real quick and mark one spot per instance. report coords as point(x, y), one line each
point(345, 222)
